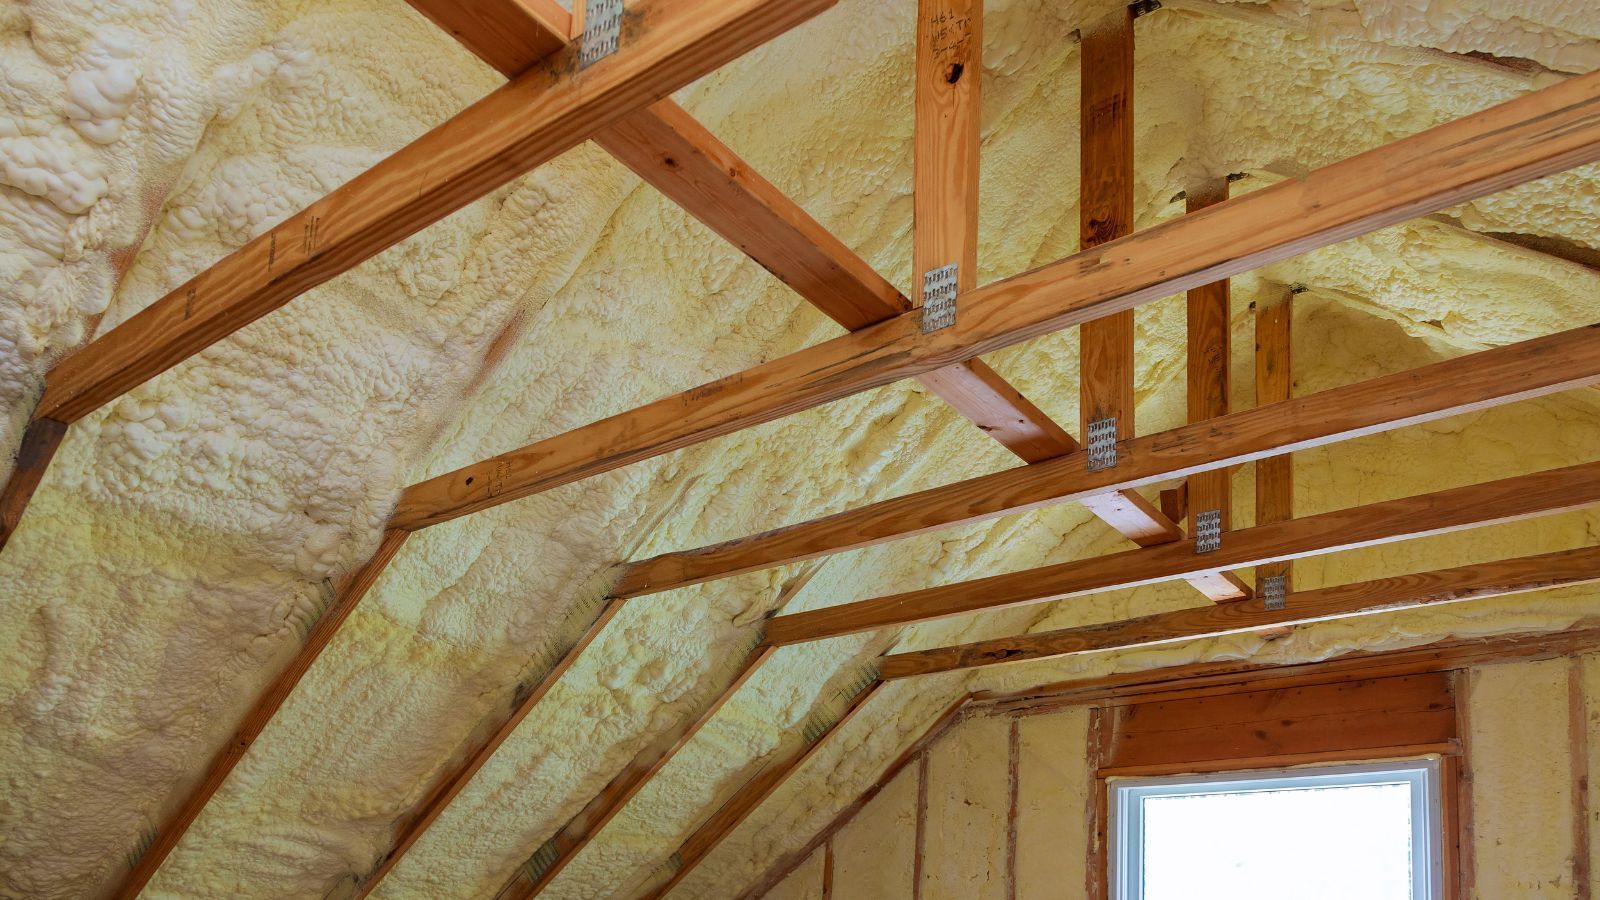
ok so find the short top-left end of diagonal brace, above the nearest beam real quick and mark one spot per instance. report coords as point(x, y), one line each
point(508, 34)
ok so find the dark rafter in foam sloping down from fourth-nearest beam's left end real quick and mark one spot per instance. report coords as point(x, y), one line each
point(583, 829)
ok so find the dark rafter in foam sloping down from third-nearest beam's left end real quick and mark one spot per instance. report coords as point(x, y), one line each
point(450, 784)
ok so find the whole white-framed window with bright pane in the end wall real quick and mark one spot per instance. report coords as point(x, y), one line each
point(1327, 834)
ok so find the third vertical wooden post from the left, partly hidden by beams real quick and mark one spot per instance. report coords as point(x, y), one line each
point(1210, 344)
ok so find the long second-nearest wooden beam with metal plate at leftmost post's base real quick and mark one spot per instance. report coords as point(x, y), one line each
point(1521, 140)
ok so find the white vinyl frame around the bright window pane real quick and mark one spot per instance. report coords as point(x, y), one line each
point(1127, 813)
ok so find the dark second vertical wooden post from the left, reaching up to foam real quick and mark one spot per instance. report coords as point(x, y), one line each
point(1106, 214)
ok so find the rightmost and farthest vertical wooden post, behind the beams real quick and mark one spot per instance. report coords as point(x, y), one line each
point(1274, 385)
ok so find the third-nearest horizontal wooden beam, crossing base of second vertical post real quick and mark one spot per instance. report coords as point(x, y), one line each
point(1489, 379)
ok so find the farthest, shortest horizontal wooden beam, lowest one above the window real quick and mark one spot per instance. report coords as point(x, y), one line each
point(1303, 608)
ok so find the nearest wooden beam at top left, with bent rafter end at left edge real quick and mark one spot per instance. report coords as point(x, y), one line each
point(518, 127)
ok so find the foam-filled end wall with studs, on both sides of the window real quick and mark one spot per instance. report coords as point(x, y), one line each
point(1529, 752)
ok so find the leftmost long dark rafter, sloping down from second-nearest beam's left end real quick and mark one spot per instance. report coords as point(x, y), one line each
point(342, 601)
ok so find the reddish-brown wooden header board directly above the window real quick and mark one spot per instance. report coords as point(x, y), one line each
point(1268, 726)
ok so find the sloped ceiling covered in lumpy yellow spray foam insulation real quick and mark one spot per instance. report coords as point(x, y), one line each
point(178, 550)
